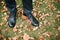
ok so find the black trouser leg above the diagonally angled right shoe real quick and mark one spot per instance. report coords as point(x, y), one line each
point(27, 5)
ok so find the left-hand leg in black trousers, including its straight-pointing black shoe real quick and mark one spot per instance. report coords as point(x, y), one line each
point(11, 6)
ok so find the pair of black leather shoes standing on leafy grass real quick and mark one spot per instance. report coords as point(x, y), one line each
point(12, 19)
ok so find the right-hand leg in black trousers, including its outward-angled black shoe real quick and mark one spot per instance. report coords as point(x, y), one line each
point(27, 7)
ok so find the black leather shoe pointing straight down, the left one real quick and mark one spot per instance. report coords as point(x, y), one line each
point(12, 18)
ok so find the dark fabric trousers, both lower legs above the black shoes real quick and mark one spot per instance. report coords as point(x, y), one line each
point(27, 5)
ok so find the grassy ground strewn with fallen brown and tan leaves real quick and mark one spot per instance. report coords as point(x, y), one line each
point(47, 12)
